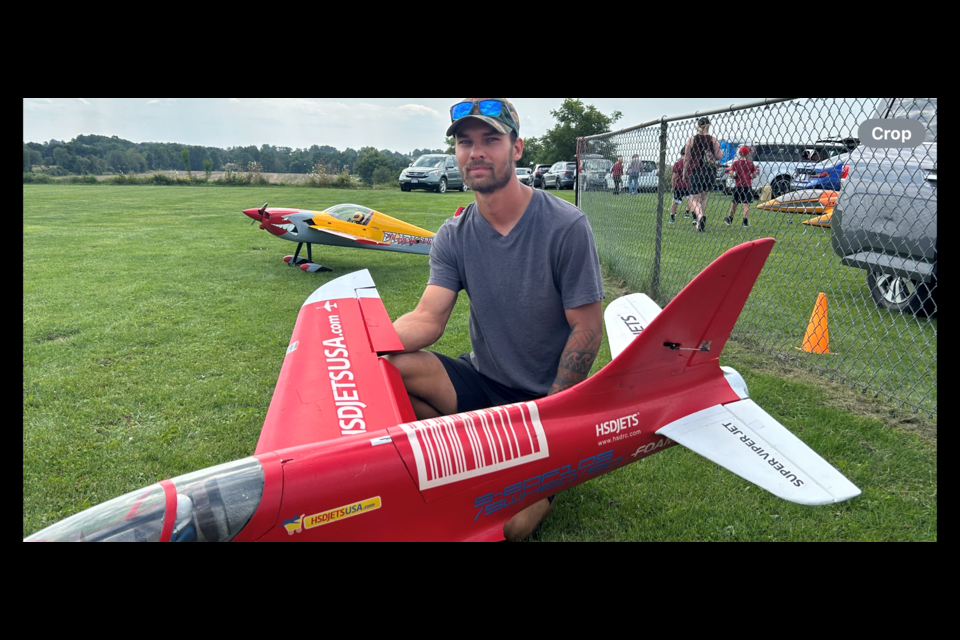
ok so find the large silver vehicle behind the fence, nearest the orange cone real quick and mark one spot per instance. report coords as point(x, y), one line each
point(885, 221)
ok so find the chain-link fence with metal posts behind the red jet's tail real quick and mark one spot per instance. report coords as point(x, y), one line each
point(850, 289)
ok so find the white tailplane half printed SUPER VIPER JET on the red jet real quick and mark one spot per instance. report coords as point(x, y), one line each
point(746, 440)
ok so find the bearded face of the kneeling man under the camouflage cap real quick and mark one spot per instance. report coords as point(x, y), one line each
point(487, 158)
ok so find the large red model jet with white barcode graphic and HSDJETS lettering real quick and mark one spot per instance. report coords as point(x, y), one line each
point(341, 456)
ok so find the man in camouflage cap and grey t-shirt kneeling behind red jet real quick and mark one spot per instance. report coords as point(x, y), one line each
point(528, 263)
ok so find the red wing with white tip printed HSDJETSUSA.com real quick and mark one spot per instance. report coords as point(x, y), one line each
point(332, 383)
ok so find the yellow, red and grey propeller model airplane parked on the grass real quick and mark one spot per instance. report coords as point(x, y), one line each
point(344, 225)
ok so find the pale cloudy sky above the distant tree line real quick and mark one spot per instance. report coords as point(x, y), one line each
point(397, 124)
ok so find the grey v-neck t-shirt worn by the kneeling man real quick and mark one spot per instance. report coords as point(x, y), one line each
point(519, 286)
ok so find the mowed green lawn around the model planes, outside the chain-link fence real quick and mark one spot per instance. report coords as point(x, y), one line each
point(155, 322)
